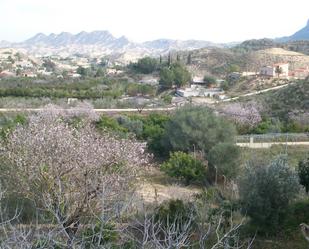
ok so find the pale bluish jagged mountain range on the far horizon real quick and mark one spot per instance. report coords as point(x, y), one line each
point(103, 43)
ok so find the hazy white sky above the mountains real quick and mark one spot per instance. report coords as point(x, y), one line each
point(141, 20)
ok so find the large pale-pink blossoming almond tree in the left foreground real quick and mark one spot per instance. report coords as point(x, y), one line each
point(70, 171)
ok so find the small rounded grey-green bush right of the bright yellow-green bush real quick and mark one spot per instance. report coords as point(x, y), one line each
point(225, 157)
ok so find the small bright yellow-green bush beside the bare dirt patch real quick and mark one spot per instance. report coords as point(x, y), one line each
point(184, 166)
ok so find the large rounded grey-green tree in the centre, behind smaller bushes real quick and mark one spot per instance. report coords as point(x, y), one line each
point(196, 129)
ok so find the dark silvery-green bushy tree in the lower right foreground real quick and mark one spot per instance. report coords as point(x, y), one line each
point(266, 191)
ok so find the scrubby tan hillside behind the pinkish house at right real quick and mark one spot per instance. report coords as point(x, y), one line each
point(219, 61)
